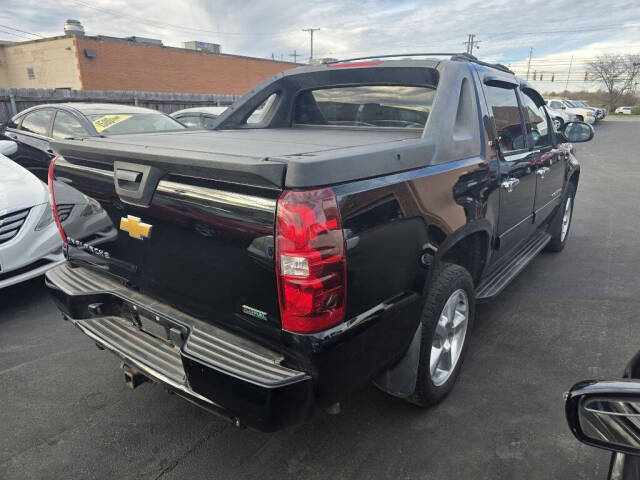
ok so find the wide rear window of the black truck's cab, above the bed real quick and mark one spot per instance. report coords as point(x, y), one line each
point(390, 106)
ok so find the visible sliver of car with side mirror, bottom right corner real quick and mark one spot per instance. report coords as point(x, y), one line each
point(605, 414)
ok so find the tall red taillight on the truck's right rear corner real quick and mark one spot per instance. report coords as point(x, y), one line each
point(310, 261)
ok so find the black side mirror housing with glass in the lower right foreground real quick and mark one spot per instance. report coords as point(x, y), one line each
point(606, 414)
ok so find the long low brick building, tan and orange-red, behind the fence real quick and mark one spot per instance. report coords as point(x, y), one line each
point(84, 62)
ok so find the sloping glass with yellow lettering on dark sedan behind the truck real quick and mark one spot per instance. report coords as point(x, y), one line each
point(114, 123)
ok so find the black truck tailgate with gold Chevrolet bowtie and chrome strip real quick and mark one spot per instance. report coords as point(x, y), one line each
point(168, 230)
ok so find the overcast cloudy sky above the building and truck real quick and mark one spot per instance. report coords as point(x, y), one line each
point(506, 29)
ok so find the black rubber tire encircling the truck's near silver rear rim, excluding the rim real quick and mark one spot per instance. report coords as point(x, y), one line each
point(446, 281)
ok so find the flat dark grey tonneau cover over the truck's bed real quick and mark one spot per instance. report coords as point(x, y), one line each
point(268, 157)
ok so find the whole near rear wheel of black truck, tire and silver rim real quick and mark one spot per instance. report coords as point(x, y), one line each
point(447, 319)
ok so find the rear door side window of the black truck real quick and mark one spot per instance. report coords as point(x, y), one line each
point(506, 113)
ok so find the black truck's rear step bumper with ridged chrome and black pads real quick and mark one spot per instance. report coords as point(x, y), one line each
point(215, 368)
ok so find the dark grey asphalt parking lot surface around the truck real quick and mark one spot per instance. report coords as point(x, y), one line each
point(65, 412)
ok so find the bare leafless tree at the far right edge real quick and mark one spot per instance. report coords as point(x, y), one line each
point(618, 73)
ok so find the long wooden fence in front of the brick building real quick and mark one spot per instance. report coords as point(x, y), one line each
point(14, 100)
